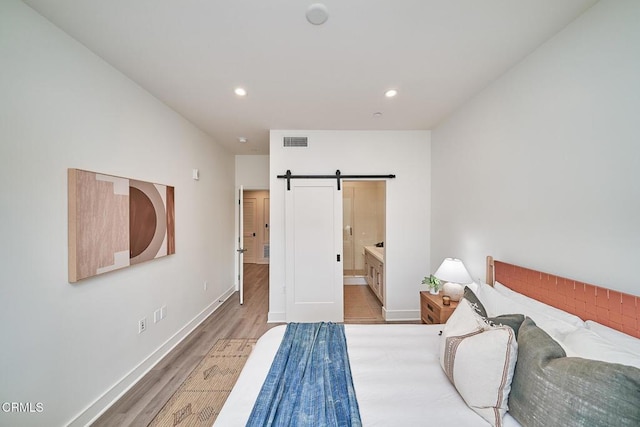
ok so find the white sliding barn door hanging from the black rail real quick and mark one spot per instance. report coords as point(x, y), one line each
point(313, 242)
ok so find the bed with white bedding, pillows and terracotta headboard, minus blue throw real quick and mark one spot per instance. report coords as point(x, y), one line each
point(404, 374)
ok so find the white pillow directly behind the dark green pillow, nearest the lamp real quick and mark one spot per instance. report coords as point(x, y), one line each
point(496, 304)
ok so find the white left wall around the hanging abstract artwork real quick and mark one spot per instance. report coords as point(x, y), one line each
point(70, 346)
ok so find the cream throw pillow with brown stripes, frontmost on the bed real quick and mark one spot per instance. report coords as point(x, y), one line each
point(479, 360)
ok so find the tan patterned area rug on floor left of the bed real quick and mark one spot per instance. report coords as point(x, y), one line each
point(199, 399)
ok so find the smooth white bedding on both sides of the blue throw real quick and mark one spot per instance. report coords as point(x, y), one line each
point(396, 375)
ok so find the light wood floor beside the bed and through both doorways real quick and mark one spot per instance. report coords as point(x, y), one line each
point(139, 405)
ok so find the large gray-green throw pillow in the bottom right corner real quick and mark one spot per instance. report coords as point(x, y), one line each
point(550, 389)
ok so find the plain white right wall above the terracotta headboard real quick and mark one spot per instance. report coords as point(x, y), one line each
point(542, 167)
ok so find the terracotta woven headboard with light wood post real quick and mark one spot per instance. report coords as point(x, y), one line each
point(614, 309)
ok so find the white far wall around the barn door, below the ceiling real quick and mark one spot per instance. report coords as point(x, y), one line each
point(405, 154)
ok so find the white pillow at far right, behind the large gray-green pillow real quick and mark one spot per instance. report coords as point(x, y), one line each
point(587, 344)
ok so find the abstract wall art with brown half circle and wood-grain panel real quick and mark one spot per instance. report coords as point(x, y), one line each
point(116, 222)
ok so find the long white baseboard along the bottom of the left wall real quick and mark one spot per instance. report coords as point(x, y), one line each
point(109, 397)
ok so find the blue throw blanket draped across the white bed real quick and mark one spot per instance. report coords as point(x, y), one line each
point(309, 383)
